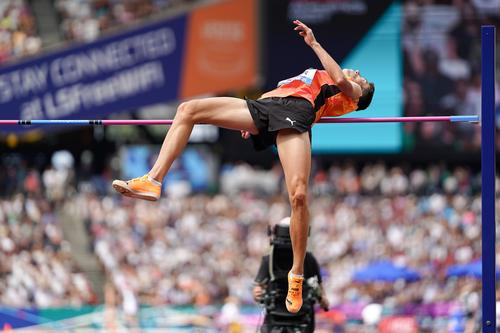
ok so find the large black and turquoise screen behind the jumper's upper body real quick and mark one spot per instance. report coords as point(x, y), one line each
point(359, 34)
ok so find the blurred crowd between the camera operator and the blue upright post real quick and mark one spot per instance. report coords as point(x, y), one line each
point(423, 219)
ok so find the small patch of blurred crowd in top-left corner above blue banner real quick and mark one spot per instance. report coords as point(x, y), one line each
point(18, 33)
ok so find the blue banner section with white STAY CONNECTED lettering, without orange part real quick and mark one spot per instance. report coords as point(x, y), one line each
point(136, 68)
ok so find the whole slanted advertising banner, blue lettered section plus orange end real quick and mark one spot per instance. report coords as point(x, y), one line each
point(209, 50)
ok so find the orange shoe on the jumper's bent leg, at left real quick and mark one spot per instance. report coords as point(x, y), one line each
point(140, 188)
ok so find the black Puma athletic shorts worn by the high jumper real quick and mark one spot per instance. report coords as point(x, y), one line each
point(275, 113)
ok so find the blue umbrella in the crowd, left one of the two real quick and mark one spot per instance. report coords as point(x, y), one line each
point(385, 270)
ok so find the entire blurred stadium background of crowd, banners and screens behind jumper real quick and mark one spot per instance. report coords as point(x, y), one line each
point(76, 257)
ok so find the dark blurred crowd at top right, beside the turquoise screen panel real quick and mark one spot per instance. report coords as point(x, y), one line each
point(442, 68)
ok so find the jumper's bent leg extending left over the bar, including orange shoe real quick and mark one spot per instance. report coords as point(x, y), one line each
point(226, 112)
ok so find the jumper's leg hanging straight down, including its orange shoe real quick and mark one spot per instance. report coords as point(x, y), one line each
point(294, 150)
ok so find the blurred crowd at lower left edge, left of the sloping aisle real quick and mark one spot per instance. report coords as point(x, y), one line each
point(36, 265)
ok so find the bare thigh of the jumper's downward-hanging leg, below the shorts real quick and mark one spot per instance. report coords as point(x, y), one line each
point(294, 150)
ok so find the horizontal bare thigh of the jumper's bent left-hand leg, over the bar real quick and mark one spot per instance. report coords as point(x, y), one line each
point(226, 112)
